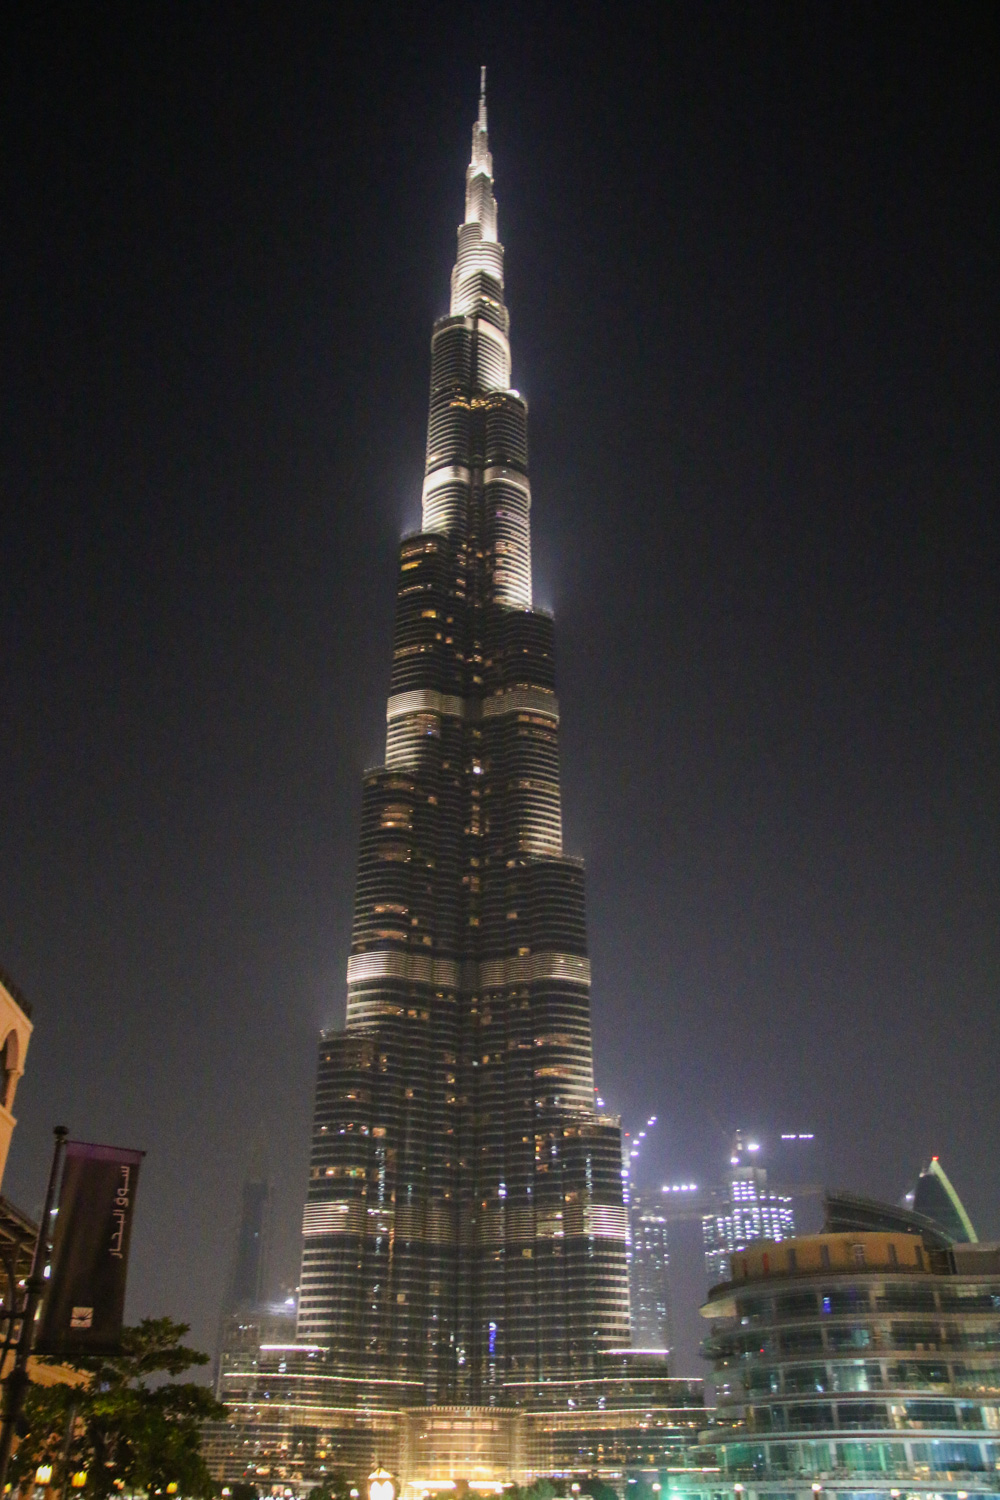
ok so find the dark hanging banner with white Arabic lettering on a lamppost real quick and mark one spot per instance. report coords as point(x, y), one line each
point(85, 1301)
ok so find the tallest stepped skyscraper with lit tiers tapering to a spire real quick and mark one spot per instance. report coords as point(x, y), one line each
point(466, 1231)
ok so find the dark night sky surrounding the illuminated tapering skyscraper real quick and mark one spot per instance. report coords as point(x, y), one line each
point(753, 283)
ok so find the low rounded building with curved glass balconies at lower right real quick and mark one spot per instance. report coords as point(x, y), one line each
point(863, 1364)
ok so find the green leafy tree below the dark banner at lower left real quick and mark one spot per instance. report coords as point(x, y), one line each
point(122, 1430)
